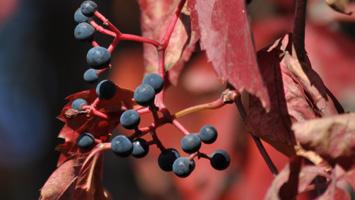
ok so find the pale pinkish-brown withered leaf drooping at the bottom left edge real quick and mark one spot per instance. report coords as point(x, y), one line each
point(66, 182)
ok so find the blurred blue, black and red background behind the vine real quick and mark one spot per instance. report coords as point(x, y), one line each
point(41, 63)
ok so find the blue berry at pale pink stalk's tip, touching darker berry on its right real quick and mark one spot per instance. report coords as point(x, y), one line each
point(121, 146)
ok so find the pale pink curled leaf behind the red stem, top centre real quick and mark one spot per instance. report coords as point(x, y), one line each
point(156, 16)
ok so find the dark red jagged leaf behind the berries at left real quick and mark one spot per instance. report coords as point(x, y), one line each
point(100, 128)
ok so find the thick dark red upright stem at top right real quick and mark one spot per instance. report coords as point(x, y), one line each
point(299, 27)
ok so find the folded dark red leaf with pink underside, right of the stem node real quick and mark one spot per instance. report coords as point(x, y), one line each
point(297, 93)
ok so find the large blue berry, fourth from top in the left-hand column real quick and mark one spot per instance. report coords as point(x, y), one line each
point(98, 57)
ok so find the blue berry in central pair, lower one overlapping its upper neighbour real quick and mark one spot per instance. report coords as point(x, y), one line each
point(144, 95)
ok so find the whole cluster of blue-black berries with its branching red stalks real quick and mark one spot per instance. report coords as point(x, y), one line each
point(147, 97)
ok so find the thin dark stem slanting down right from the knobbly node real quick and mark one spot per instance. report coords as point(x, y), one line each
point(256, 139)
